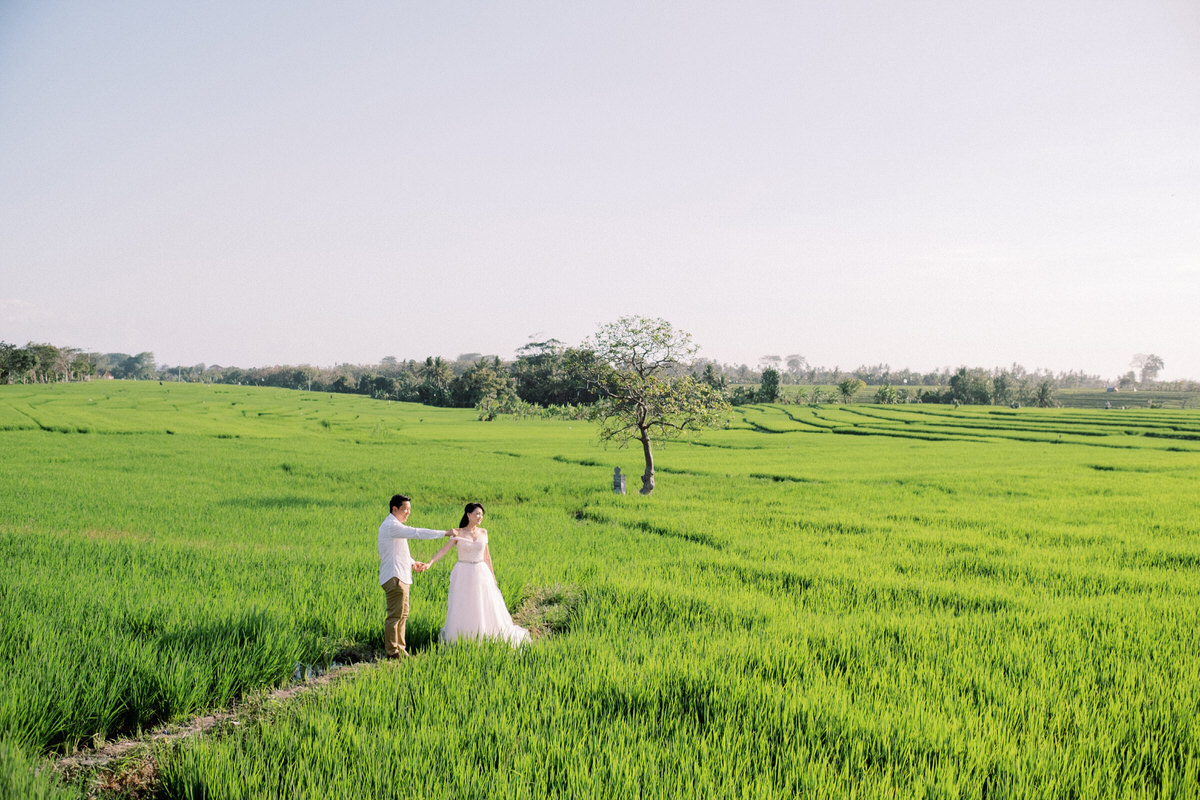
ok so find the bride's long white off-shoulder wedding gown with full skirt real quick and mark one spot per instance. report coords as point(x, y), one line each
point(476, 607)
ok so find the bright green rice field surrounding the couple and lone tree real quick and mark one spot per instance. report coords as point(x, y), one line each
point(818, 601)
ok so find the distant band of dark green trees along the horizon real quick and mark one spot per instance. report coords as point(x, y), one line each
point(542, 376)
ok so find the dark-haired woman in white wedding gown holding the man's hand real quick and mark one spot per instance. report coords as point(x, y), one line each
point(475, 607)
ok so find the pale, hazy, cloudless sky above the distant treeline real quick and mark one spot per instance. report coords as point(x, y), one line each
point(898, 182)
